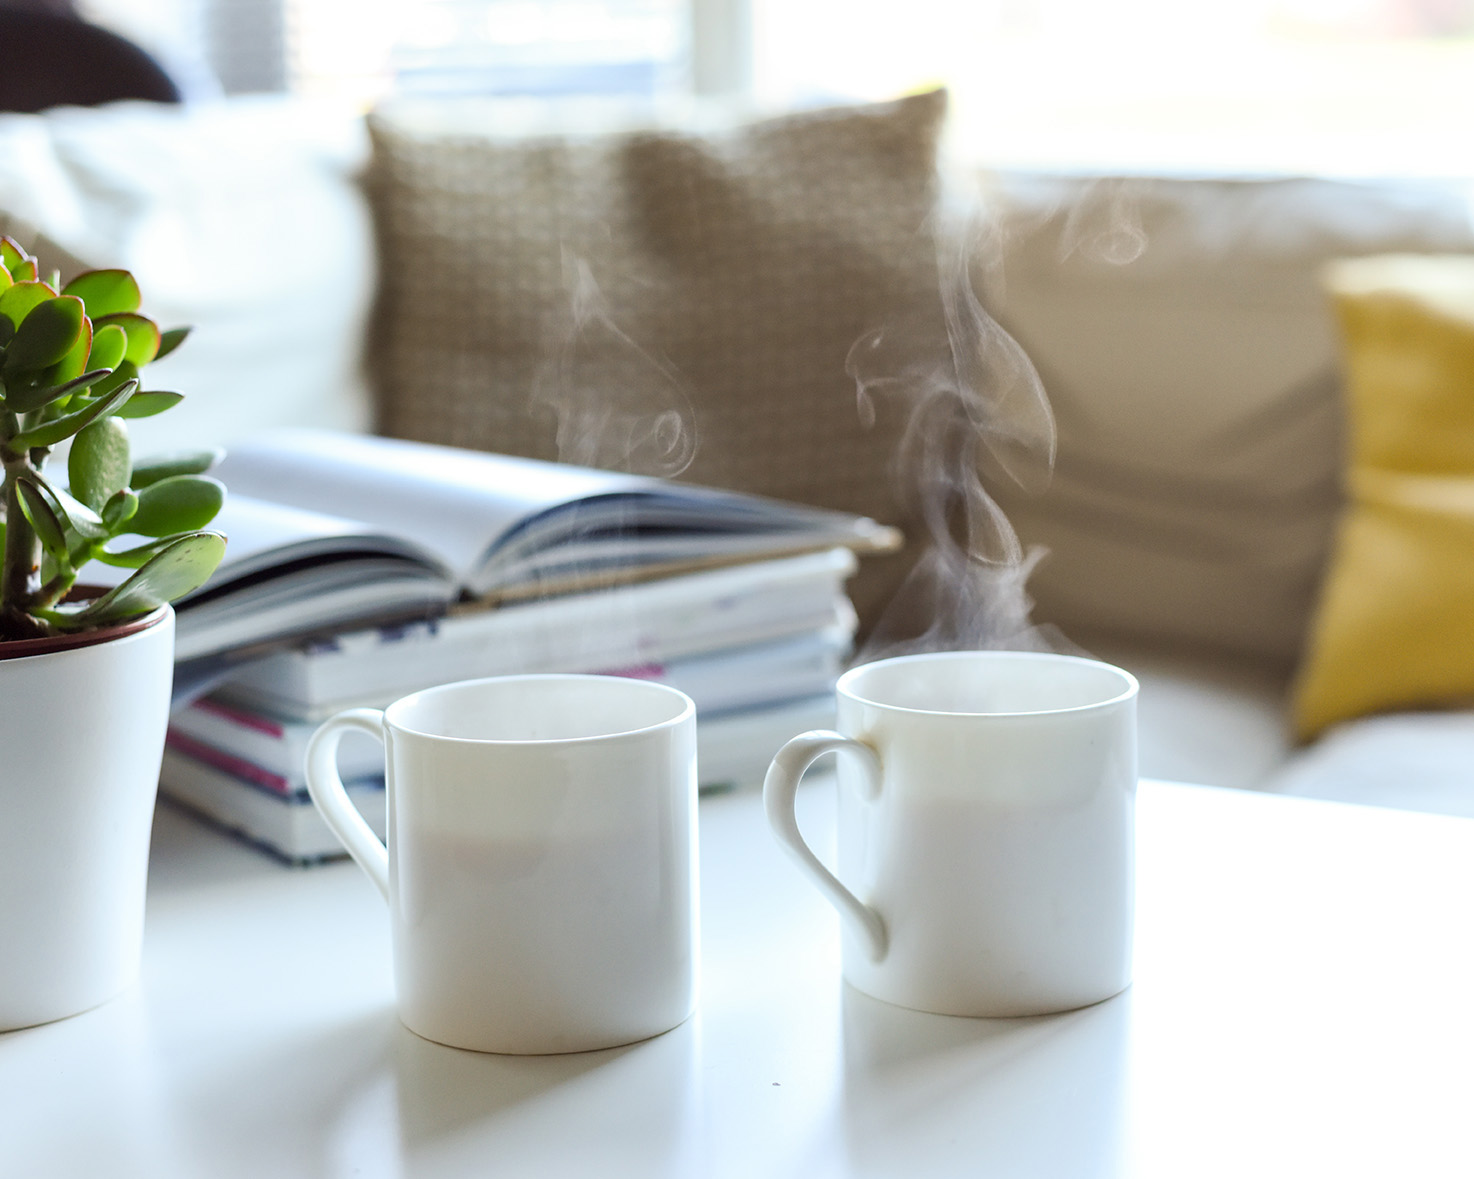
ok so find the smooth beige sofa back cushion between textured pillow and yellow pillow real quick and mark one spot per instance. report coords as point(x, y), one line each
point(1190, 356)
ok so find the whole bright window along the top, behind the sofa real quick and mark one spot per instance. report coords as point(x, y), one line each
point(1324, 86)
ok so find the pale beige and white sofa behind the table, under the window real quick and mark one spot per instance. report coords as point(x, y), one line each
point(1178, 325)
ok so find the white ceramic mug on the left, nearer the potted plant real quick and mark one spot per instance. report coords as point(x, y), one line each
point(542, 858)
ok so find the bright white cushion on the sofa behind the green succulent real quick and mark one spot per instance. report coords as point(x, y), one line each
point(240, 217)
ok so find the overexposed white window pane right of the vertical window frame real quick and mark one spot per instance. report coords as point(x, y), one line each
point(1304, 86)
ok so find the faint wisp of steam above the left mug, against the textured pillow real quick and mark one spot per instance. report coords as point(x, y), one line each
point(617, 405)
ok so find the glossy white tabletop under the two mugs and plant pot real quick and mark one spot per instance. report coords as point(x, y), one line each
point(1302, 1009)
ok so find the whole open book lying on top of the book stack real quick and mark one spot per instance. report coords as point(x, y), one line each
point(329, 531)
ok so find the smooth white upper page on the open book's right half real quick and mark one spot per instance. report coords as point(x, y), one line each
point(455, 503)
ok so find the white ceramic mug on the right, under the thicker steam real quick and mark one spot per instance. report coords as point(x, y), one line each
point(987, 819)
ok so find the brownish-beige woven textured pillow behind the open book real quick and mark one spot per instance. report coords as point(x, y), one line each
point(626, 290)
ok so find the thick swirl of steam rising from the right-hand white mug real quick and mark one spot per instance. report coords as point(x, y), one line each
point(974, 405)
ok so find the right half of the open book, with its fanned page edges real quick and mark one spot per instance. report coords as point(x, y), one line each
point(518, 527)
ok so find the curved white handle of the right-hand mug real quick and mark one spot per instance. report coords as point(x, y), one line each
point(779, 791)
